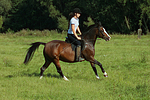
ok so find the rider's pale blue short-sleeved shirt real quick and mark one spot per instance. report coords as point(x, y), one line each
point(75, 22)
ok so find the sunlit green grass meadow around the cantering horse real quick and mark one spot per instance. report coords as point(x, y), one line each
point(125, 58)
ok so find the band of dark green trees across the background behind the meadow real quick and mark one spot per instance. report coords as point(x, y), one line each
point(121, 16)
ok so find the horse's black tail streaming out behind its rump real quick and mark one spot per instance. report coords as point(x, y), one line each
point(31, 51)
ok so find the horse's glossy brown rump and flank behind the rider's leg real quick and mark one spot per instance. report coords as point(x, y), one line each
point(58, 49)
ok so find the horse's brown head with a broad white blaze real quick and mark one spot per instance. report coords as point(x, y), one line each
point(102, 33)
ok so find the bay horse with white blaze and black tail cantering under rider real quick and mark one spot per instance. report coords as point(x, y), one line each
point(56, 50)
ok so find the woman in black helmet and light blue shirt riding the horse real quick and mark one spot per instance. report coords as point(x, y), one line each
point(72, 35)
